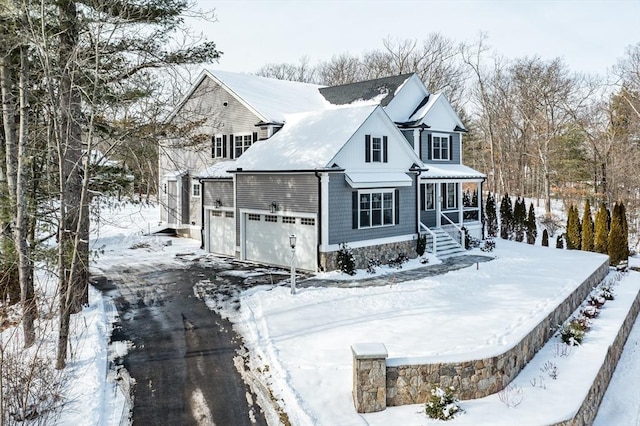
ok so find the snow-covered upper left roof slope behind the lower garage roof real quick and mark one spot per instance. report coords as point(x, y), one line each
point(272, 98)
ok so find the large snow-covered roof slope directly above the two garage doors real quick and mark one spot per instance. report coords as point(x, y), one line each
point(308, 141)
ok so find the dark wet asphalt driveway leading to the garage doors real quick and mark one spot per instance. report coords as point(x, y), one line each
point(183, 356)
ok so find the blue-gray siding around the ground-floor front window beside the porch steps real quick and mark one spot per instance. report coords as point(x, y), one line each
point(341, 220)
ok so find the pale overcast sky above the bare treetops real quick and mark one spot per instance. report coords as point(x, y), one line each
point(590, 35)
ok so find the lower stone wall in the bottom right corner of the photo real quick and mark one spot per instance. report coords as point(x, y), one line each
point(589, 409)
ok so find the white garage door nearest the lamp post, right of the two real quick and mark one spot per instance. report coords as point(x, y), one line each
point(267, 240)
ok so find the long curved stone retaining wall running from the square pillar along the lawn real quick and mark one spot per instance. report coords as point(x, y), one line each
point(412, 384)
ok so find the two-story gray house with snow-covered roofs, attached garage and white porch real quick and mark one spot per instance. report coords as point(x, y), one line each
point(372, 164)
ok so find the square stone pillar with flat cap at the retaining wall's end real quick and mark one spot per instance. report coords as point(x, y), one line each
point(369, 377)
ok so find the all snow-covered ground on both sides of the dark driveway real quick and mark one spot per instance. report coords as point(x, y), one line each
point(300, 344)
